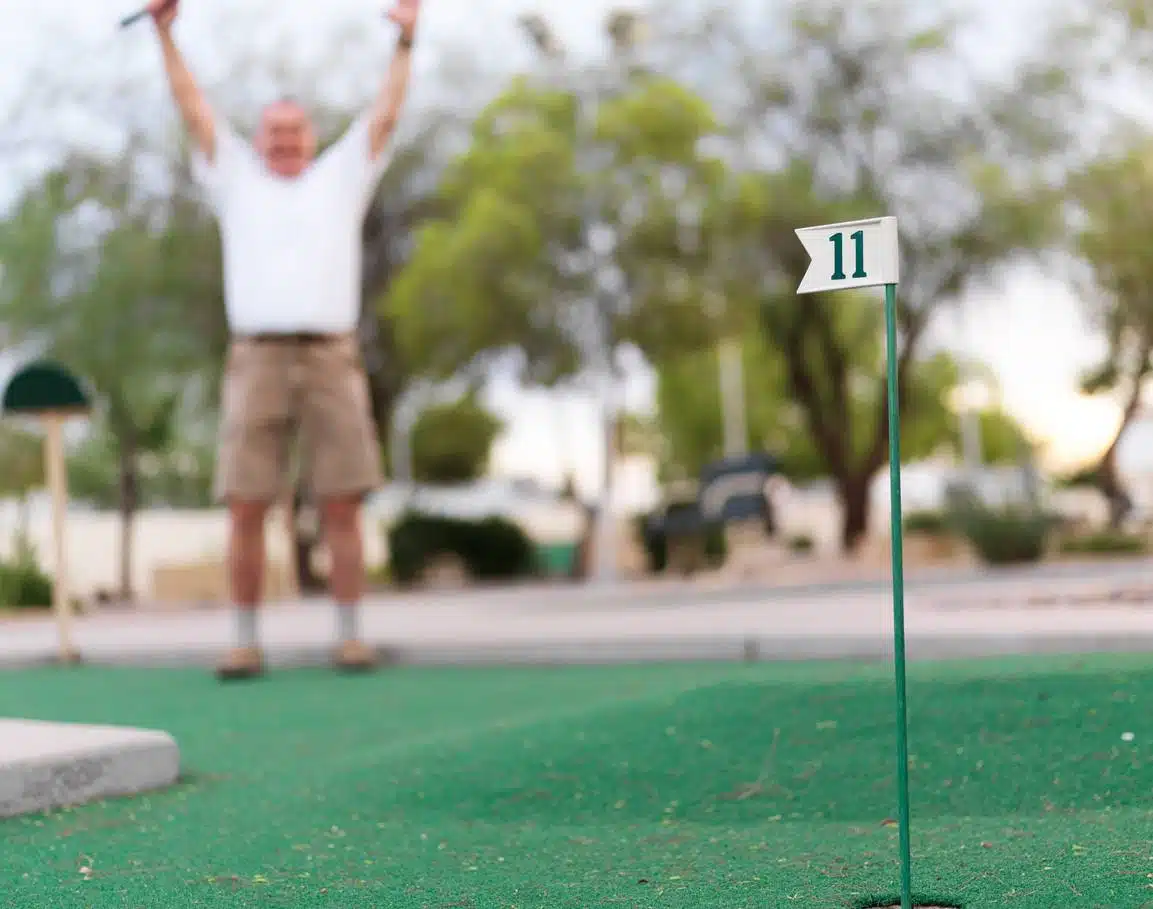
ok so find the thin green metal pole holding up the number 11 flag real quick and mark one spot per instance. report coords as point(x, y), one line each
point(899, 594)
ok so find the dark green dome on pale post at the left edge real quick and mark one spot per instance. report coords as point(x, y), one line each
point(51, 395)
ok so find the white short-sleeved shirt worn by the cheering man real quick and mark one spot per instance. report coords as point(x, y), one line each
point(292, 247)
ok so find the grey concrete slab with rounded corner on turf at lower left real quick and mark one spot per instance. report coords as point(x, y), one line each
point(46, 767)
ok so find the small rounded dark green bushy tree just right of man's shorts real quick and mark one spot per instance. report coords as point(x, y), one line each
point(453, 442)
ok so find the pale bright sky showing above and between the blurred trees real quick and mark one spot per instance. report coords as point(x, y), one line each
point(1028, 329)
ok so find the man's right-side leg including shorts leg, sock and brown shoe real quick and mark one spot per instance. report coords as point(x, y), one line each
point(344, 459)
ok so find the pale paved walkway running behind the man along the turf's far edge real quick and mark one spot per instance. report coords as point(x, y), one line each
point(1008, 614)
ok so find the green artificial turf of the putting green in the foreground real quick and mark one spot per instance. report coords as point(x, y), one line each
point(689, 786)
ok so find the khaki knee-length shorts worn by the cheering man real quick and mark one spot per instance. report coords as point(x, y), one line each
point(312, 390)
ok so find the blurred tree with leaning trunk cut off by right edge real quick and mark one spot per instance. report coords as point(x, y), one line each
point(1113, 202)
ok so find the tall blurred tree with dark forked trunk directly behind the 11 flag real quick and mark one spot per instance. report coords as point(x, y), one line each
point(849, 118)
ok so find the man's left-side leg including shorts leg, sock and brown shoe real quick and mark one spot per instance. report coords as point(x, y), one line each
point(255, 432)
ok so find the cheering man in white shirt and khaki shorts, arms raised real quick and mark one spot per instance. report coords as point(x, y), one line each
point(291, 224)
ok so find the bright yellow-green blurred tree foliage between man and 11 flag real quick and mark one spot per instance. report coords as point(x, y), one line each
point(534, 254)
